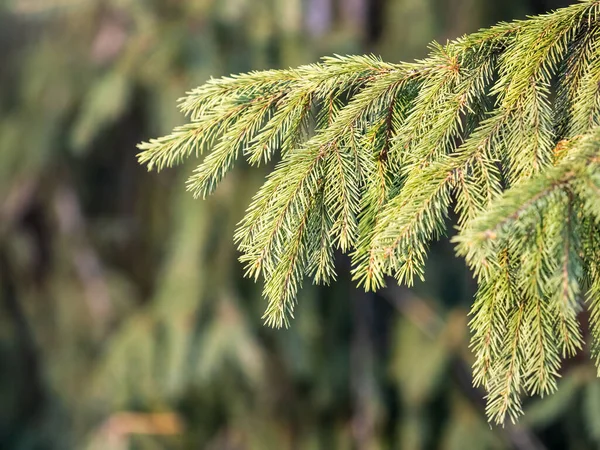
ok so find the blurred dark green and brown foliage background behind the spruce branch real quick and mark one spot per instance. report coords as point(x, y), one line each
point(125, 322)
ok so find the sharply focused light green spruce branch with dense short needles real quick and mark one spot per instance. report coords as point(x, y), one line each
point(500, 125)
